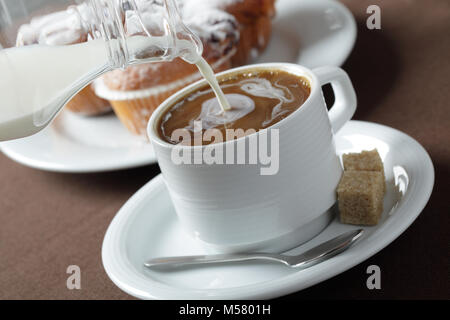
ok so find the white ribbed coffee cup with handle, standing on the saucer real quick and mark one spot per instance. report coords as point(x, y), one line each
point(235, 208)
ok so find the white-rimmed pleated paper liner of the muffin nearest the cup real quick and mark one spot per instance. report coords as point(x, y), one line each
point(135, 107)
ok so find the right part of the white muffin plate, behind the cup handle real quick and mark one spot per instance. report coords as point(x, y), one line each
point(312, 33)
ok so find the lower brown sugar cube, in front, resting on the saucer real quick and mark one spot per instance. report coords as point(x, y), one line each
point(360, 197)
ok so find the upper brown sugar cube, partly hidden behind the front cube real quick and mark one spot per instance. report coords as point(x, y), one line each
point(364, 161)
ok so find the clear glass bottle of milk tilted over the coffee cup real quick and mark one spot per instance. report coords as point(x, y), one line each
point(38, 75)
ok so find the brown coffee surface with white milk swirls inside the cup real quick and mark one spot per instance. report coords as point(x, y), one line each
point(257, 101)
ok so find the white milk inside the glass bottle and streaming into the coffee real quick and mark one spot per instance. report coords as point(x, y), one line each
point(36, 81)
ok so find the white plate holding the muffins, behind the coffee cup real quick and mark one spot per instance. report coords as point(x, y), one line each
point(309, 32)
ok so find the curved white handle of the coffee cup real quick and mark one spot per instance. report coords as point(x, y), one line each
point(345, 97)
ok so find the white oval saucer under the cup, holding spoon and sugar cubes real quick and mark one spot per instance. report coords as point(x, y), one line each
point(146, 226)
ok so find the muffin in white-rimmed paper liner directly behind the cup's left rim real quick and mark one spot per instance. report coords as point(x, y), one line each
point(134, 96)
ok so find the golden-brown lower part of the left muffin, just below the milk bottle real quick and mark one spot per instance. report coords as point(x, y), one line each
point(87, 103)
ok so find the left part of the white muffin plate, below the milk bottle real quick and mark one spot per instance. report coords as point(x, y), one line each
point(81, 144)
